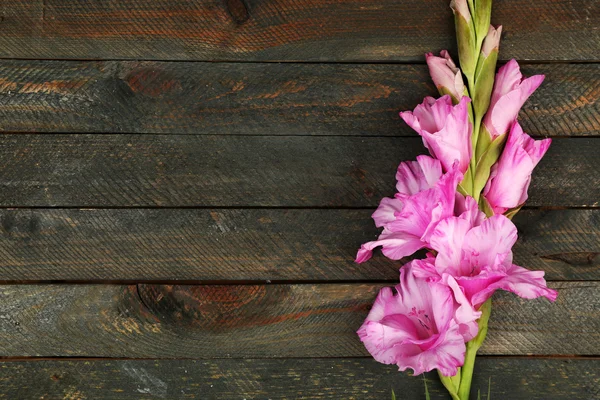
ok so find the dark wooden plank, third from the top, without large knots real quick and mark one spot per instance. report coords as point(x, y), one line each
point(242, 171)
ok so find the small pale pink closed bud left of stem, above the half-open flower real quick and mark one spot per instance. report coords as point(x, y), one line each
point(446, 76)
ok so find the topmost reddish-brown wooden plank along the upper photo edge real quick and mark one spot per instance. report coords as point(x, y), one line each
point(330, 30)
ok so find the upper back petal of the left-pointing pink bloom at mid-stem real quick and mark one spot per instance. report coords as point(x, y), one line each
point(416, 176)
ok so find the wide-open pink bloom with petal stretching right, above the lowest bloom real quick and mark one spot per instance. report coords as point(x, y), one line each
point(475, 261)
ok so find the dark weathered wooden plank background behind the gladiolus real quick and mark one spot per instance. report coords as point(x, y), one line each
point(184, 185)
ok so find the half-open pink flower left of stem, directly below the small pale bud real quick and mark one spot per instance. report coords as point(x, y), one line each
point(445, 129)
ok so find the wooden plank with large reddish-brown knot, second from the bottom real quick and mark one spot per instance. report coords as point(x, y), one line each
point(261, 321)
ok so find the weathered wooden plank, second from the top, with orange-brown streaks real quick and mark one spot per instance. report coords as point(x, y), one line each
point(261, 99)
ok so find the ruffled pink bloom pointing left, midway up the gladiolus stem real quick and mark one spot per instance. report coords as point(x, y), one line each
point(409, 220)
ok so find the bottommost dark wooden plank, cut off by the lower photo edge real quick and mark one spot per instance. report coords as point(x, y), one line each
point(512, 378)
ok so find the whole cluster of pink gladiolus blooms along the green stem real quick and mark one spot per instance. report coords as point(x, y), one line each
point(425, 323)
